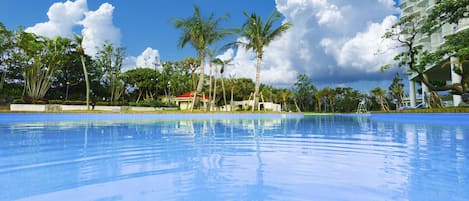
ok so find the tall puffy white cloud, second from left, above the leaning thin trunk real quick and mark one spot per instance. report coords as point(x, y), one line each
point(98, 28)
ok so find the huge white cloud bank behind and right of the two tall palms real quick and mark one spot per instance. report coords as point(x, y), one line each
point(331, 41)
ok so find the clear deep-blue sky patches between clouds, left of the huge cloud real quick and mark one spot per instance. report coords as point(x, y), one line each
point(142, 23)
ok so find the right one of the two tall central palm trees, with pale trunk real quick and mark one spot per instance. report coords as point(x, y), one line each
point(260, 35)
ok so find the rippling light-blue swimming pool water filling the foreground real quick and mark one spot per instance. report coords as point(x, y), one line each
point(242, 157)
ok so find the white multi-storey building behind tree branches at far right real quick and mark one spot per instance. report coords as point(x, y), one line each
point(431, 43)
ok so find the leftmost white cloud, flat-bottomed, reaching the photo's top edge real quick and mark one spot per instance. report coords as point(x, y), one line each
point(63, 16)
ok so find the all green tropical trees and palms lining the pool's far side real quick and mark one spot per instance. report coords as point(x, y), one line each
point(36, 69)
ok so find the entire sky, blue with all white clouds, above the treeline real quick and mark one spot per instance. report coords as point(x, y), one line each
point(334, 42)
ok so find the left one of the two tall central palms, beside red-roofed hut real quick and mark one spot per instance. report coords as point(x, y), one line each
point(200, 32)
